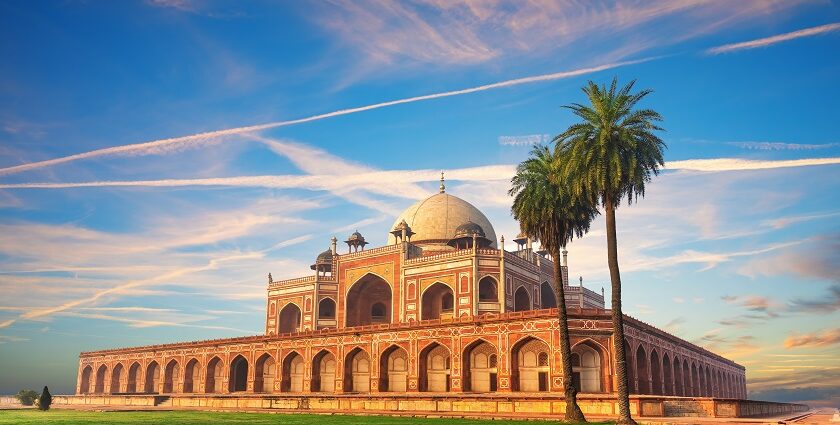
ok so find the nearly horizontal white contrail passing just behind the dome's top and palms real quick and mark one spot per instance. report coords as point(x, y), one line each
point(372, 180)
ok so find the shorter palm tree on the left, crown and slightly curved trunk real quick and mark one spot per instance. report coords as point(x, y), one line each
point(546, 212)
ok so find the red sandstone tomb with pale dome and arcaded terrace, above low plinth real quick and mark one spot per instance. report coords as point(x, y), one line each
point(445, 313)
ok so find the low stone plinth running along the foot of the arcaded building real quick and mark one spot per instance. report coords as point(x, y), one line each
point(523, 405)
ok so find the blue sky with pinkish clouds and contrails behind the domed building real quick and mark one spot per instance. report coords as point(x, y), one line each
point(734, 247)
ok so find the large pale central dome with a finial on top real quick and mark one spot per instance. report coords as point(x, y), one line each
point(435, 220)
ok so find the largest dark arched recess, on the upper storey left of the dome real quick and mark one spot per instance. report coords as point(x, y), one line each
point(368, 302)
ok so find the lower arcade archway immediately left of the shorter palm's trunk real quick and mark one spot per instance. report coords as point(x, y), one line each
point(530, 365)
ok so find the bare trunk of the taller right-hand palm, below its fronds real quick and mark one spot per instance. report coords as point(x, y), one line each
point(618, 317)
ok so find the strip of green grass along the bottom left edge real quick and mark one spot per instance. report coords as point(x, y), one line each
point(60, 417)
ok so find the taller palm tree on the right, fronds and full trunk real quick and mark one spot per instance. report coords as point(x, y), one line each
point(611, 154)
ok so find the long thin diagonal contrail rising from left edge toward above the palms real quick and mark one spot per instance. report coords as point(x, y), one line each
point(175, 142)
